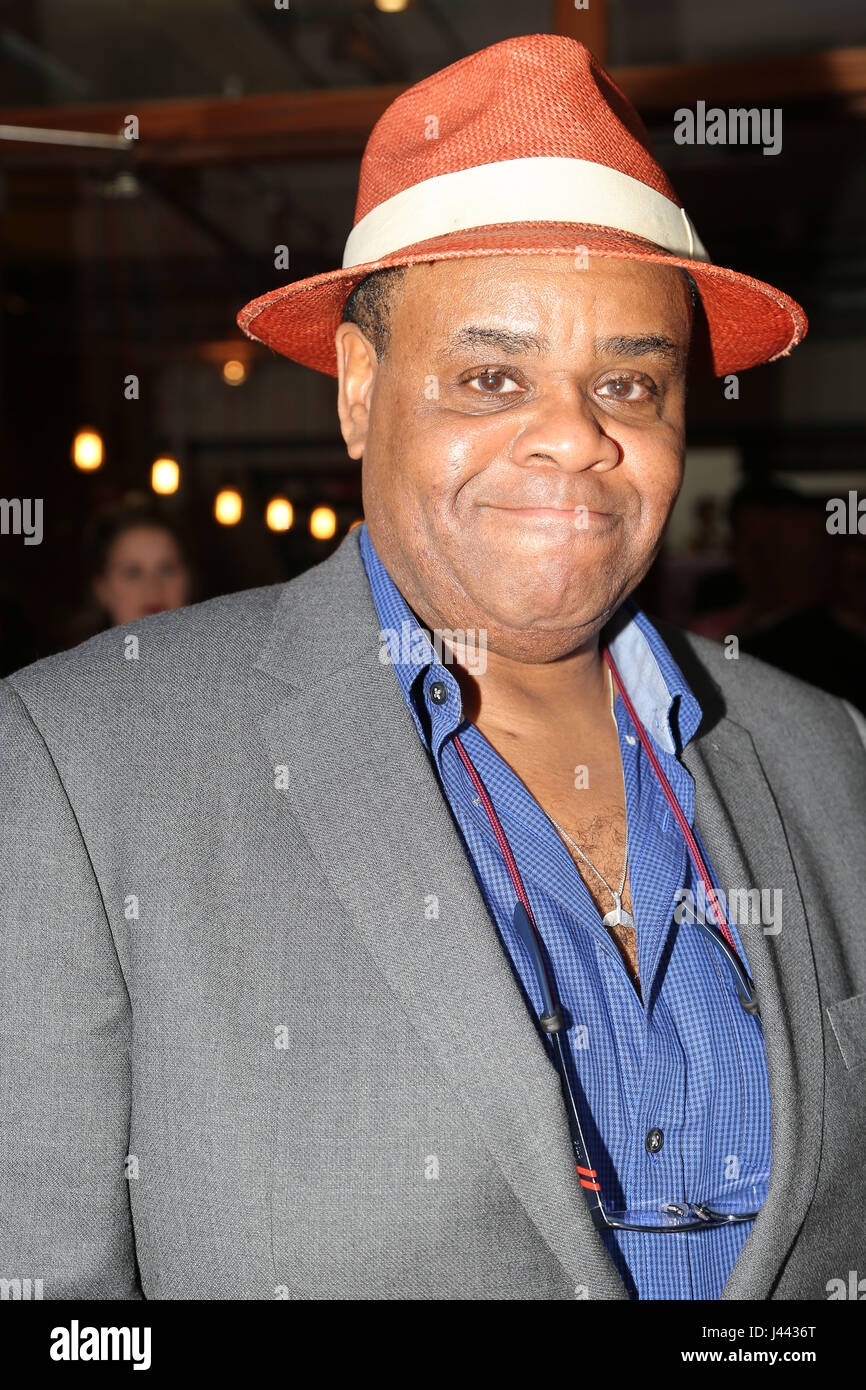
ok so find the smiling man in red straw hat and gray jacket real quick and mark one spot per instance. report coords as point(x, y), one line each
point(369, 936)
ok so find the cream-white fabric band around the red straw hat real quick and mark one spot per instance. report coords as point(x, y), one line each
point(543, 190)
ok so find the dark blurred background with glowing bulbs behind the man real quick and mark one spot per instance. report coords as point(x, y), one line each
point(177, 461)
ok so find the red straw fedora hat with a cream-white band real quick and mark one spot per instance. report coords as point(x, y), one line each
point(526, 148)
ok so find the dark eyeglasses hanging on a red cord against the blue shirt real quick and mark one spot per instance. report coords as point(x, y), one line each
point(669, 1216)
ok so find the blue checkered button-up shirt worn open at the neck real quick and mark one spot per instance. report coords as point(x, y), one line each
point(693, 1064)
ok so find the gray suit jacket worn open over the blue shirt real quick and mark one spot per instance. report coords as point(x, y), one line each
point(238, 1057)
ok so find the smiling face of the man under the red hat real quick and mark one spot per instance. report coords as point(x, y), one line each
point(522, 441)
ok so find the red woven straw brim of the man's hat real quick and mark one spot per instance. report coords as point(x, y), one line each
point(749, 323)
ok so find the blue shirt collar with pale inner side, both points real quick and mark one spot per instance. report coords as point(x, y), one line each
point(655, 685)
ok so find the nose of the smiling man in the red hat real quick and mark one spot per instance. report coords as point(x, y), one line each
point(564, 429)
